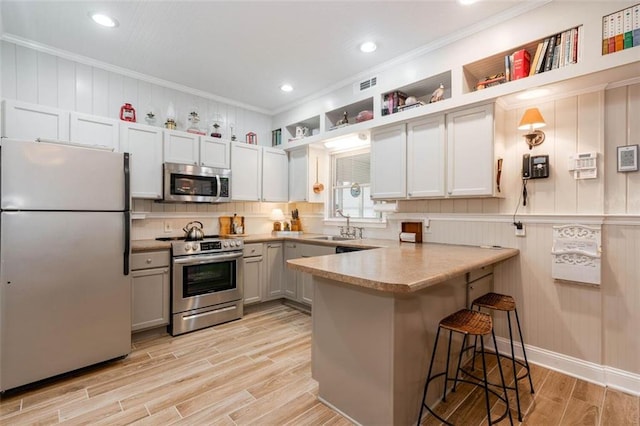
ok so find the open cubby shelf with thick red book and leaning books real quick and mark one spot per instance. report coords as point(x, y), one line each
point(547, 54)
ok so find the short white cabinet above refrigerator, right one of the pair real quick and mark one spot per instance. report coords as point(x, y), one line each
point(93, 130)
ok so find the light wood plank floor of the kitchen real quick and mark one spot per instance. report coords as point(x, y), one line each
point(257, 371)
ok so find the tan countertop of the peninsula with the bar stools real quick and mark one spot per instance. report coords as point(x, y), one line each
point(402, 267)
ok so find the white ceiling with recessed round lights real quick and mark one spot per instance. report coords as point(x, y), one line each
point(244, 50)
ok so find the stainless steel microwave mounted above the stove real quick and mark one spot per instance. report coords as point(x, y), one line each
point(196, 184)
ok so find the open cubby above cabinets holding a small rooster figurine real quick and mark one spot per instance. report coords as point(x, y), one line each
point(428, 90)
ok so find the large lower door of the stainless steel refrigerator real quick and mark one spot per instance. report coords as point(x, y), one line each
point(66, 302)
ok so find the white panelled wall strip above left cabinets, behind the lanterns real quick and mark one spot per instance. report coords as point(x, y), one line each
point(41, 78)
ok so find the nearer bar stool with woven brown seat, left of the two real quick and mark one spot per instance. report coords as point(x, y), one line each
point(468, 323)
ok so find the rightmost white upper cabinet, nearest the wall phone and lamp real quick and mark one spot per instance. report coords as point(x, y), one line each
point(470, 153)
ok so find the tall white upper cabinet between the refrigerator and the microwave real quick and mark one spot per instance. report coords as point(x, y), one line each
point(144, 143)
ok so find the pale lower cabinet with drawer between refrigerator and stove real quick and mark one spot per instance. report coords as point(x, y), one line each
point(149, 290)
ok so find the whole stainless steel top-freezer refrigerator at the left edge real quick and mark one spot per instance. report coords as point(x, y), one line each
point(65, 293)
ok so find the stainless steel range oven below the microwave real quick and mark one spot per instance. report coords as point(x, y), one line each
point(206, 283)
